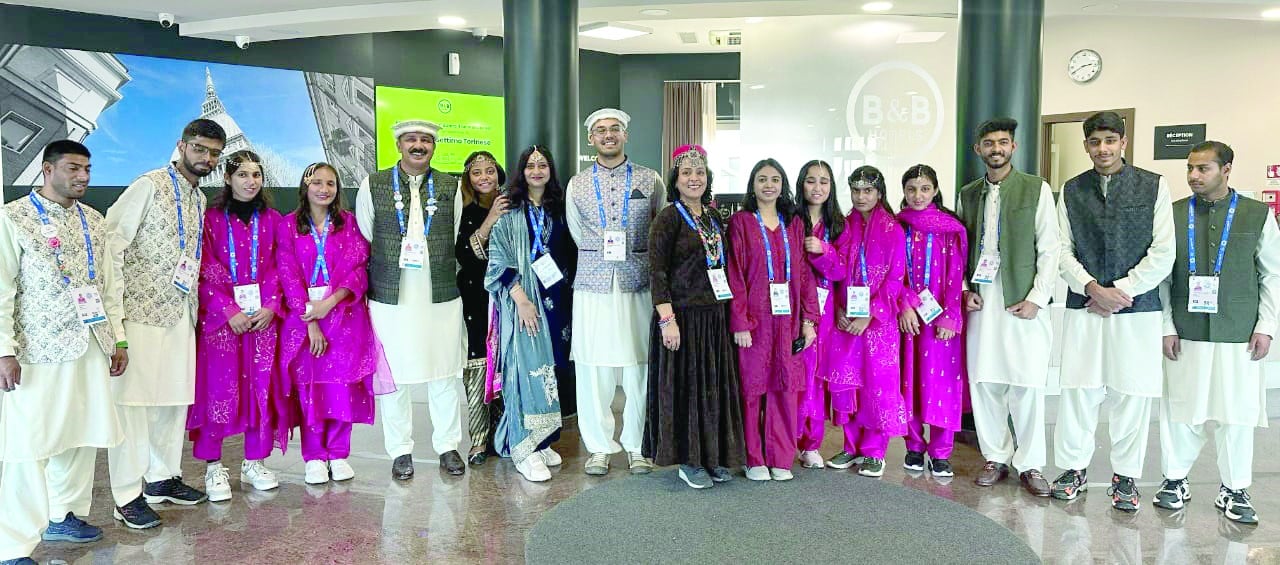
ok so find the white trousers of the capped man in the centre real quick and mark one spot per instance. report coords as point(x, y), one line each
point(596, 423)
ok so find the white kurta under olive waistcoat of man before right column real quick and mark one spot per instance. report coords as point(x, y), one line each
point(993, 331)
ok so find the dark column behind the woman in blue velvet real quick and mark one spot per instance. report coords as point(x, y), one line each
point(541, 81)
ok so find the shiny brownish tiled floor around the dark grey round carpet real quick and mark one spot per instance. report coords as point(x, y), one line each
point(484, 516)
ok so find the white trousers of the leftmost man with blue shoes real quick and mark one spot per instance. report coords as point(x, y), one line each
point(34, 494)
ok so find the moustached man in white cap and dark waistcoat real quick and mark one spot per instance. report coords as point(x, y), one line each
point(410, 215)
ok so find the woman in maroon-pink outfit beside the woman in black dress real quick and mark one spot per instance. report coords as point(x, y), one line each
point(766, 239)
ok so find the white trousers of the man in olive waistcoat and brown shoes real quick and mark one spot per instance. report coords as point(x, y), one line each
point(994, 405)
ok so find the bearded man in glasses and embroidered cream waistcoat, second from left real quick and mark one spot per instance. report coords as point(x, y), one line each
point(156, 229)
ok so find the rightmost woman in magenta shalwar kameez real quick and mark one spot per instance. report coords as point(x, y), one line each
point(934, 372)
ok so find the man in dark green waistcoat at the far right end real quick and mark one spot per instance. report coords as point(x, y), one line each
point(1220, 309)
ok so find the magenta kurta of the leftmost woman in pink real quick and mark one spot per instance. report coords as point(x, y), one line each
point(237, 384)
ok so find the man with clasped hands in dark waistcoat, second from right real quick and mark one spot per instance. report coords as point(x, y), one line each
point(1118, 247)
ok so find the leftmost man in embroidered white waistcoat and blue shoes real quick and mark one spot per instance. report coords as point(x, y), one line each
point(57, 358)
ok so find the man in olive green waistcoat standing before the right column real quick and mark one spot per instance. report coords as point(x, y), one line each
point(1014, 227)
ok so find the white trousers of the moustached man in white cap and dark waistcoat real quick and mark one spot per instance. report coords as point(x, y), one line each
point(444, 402)
